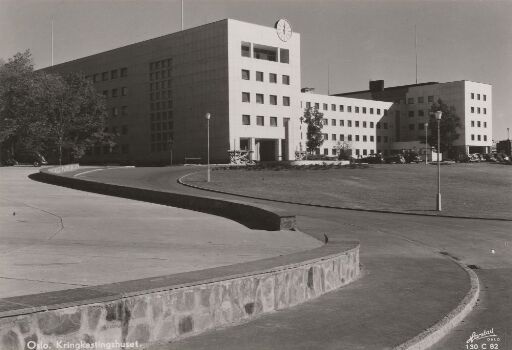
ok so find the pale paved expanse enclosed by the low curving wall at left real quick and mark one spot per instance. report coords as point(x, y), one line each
point(54, 238)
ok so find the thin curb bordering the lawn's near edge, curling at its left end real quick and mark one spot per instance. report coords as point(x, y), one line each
point(182, 182)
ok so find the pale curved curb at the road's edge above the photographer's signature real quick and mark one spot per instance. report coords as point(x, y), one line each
point(435, 333)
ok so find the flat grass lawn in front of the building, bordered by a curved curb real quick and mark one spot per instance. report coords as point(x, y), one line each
point(481, 189)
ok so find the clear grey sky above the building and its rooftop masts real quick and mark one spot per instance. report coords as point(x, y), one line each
point(358, 40)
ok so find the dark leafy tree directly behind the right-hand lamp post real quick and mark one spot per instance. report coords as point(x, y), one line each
point(448, 127)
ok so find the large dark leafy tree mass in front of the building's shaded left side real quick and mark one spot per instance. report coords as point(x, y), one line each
point(47, 112)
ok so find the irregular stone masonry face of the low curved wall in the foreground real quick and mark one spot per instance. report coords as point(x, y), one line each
point(178, 312)
